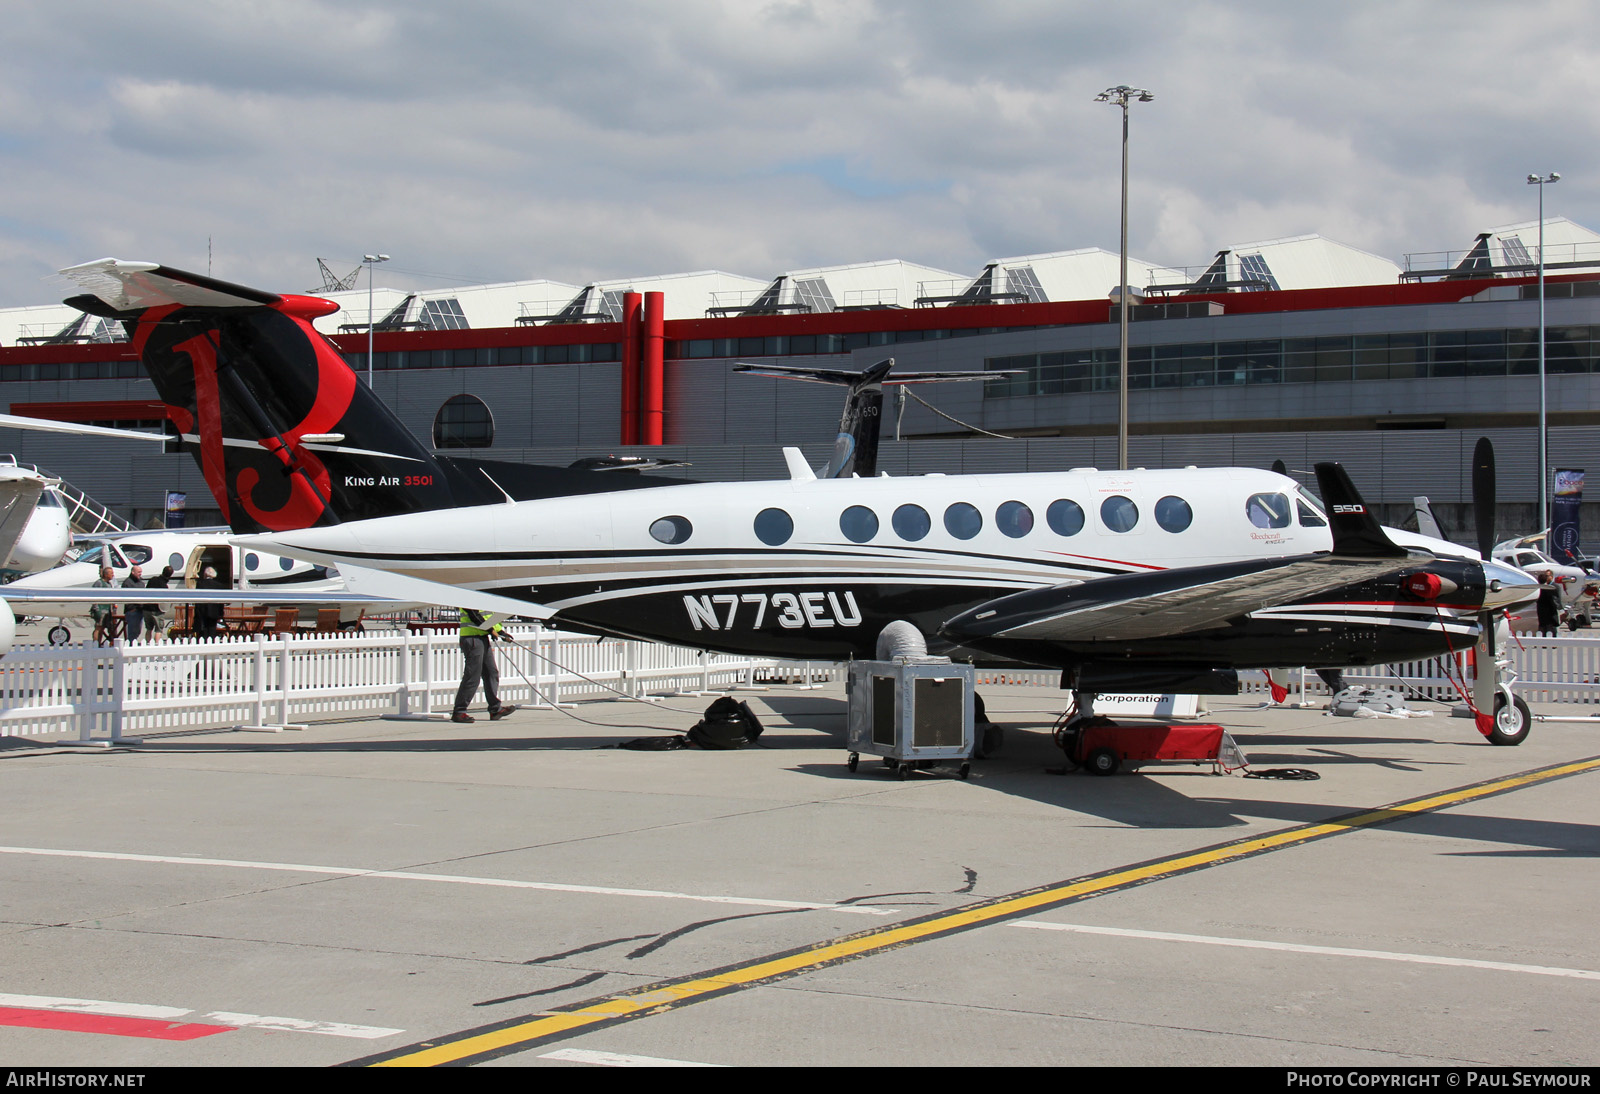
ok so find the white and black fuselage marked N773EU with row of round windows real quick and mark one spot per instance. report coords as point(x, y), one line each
point(815, 569)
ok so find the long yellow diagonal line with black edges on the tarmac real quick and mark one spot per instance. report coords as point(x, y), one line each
point(538, 1029)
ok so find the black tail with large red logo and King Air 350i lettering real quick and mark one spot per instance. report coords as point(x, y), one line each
point(286, 434)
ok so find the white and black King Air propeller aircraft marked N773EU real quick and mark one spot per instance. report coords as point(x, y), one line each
point(1145, 580)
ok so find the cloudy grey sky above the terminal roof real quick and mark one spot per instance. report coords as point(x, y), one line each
point(500, 140)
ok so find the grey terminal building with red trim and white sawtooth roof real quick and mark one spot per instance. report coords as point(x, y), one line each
point(1297, 349)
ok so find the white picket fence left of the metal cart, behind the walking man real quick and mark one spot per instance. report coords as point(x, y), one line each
point(111, 693)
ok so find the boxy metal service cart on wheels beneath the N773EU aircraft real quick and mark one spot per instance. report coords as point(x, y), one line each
point(914, 714)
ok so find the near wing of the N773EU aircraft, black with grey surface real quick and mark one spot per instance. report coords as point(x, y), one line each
point(1169, 602)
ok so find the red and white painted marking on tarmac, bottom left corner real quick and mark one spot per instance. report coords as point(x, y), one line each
point(161, 1023)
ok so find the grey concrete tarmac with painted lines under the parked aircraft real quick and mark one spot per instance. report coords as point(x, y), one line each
point(436, 893)
